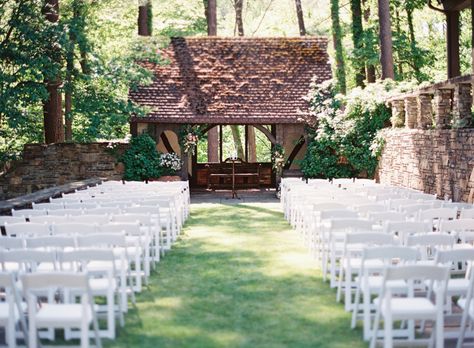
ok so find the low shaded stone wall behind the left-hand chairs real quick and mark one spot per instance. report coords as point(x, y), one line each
point(45, 166)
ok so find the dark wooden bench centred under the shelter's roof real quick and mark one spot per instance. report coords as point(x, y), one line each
point(247, 175)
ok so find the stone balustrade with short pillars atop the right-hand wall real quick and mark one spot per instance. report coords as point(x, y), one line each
point(442, 105)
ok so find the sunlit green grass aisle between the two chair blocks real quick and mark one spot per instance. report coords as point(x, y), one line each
point(238, 277)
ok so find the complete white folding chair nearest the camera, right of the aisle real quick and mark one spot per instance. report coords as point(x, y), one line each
point(411, 308)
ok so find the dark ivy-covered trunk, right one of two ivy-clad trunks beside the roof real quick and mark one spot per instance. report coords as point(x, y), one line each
point(358, 40)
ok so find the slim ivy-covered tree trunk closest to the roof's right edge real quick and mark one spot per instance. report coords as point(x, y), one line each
point(337, 41)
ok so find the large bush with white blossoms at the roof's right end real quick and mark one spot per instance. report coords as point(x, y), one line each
point(342, 130)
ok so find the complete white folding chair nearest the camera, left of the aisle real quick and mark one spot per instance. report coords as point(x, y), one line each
point(53, 315)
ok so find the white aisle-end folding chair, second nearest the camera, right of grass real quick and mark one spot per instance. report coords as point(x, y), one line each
point(370, 279)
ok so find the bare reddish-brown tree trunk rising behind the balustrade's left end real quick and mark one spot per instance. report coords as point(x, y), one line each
point(386, 52)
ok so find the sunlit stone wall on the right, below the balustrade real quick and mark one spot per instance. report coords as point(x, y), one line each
point(435, 161)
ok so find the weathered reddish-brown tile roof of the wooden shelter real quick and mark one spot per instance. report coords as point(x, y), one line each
point(234, 80)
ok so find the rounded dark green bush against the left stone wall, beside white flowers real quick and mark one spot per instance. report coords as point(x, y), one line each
point(141, 160)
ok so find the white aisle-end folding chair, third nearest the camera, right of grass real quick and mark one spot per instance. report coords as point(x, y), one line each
point(351, 260)
